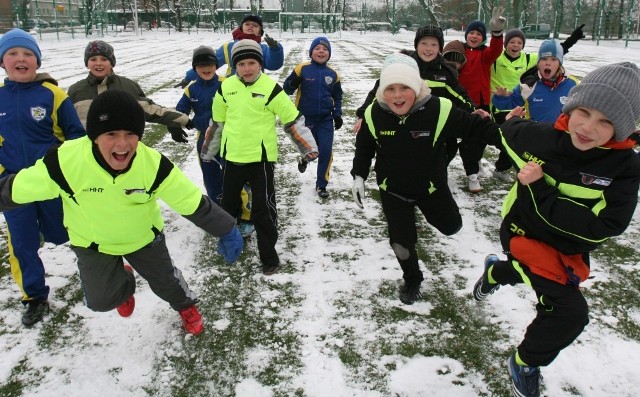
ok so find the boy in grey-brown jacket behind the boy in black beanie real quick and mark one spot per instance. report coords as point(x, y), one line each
point(100, 59)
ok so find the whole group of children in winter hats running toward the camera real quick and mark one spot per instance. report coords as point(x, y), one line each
point(576, 185)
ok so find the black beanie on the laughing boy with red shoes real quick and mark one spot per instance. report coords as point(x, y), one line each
point(114, 110)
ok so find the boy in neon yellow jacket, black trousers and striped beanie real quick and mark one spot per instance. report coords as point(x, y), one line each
point(244, 112)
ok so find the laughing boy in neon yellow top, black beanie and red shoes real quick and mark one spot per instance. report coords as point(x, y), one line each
point(109, 183)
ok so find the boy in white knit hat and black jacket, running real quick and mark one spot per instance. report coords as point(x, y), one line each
point(406, 130)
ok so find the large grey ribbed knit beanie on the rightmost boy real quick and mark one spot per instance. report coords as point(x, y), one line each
point(613, 90)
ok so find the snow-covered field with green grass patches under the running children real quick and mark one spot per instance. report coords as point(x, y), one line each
point(330, 323)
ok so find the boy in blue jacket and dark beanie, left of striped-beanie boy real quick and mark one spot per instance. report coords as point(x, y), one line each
point(198, 97)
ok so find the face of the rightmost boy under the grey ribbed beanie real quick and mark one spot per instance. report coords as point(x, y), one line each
point(589, 128)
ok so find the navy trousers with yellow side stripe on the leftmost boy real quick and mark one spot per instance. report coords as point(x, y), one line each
point(25, 225)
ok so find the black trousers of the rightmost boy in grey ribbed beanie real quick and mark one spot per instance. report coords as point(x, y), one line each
point(562, 312)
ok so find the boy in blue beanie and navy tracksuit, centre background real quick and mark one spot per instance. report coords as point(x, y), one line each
point(319, 99)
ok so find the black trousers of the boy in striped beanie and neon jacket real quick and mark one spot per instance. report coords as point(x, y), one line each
point(264, 214)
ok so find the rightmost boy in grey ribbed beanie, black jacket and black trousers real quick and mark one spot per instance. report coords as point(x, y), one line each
point(577, 187)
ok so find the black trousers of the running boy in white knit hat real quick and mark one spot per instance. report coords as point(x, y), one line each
point(439, 209)
